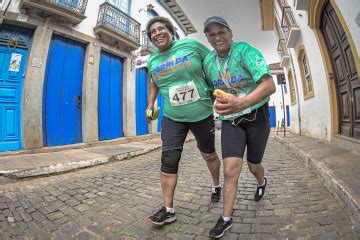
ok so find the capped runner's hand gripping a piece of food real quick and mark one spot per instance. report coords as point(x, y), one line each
point(230, 104)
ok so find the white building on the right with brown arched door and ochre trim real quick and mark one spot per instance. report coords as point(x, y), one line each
point(319, 42)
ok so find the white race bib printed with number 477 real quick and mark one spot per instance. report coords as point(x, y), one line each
point(183, 94)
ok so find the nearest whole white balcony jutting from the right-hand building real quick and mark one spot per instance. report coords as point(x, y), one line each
point(290, 28)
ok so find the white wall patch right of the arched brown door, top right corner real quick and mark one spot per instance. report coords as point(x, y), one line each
point(350, 10)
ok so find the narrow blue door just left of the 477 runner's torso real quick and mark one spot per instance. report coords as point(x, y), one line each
point(141, 89)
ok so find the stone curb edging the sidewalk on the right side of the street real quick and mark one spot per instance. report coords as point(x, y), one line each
point(327, 178)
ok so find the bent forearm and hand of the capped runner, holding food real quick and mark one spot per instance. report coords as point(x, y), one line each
point(225, 106)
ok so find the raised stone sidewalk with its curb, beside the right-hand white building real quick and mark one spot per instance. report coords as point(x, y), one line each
point(337, 168)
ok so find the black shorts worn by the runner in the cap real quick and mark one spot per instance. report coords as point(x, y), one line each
point(251, 130)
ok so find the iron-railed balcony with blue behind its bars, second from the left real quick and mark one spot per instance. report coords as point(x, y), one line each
point(116, 26)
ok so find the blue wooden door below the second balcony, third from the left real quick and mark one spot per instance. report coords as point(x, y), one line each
point(110, 110)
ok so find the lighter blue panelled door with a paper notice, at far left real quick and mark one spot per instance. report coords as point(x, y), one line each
point(12, 66)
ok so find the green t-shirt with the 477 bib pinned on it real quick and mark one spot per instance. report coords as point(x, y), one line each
point(179, 75)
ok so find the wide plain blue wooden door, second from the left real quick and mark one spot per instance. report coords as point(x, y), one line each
point(62, 92)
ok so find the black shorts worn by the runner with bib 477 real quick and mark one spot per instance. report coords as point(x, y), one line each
point(173, 134)
